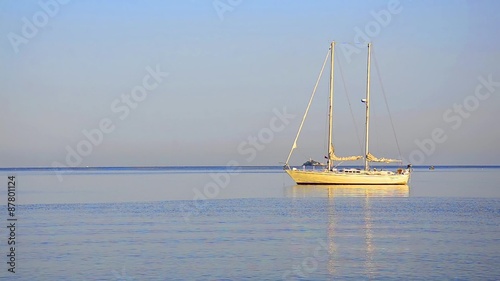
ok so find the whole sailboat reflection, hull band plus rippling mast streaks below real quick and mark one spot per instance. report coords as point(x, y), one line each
point(362, 227)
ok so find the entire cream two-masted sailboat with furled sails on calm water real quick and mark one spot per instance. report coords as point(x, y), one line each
point(351, 176)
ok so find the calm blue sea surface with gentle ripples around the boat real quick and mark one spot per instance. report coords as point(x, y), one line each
point(250, 224)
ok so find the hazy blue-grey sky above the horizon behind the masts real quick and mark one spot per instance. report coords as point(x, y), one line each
point(66, 66)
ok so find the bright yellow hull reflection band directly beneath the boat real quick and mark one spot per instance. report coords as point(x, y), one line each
point(348, 191)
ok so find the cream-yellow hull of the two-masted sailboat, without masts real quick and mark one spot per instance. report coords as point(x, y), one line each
point(338, 177)
